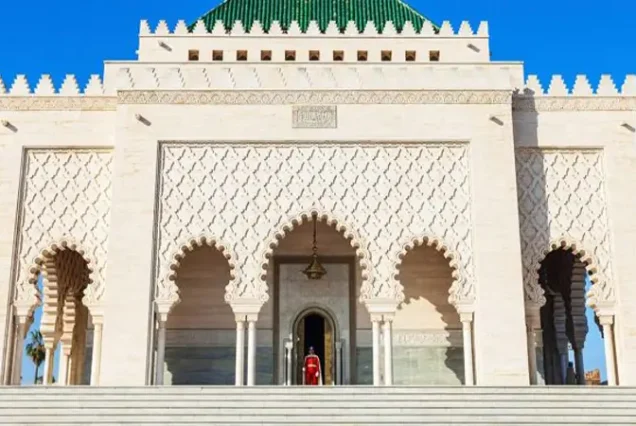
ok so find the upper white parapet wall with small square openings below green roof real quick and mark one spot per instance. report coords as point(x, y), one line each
point(217, 42)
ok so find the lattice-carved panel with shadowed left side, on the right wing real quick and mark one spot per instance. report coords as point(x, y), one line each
point(562, 204)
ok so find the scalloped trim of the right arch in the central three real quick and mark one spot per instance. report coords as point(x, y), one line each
point(456, 296)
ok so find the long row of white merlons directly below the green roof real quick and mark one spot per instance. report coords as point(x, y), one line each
point(313, 29)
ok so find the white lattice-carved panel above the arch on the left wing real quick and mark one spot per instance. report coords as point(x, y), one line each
point(65, 203)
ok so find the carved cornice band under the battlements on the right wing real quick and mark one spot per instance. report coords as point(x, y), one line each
point(573, 103)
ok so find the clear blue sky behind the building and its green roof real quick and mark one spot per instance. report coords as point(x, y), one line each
point(552, 37)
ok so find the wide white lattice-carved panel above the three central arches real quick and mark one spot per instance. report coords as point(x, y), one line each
point(380, 195)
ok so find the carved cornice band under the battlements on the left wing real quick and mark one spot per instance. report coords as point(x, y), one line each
point(58, 103)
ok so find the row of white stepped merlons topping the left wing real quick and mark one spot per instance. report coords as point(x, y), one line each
point(45, 87)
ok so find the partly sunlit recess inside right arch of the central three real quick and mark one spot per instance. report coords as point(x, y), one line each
point(424, 267)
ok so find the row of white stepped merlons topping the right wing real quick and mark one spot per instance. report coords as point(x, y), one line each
point(581, 87)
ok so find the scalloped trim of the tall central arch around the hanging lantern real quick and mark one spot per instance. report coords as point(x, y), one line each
point(345, 229)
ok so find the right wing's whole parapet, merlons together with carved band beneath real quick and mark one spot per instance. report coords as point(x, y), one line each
point(607, 95)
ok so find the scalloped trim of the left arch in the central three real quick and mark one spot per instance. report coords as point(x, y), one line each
point(167, 291)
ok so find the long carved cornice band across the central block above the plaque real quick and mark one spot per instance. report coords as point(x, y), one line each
point(317, 97)
